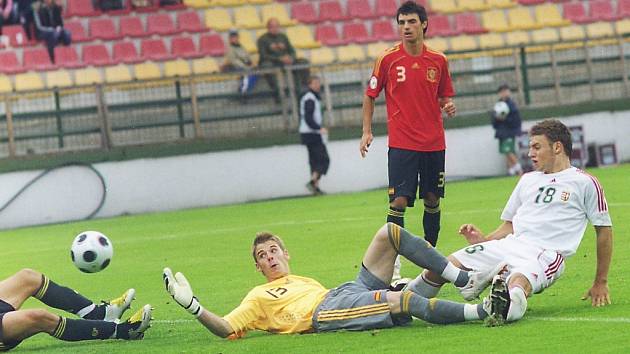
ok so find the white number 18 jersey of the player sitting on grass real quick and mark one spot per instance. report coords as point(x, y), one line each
point(551, 210)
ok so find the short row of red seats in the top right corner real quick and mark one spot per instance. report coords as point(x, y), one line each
point(599, 10)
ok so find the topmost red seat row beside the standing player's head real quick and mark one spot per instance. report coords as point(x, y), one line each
point(332, 10)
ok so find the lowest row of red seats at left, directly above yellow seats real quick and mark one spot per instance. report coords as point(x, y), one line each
point(122, 52)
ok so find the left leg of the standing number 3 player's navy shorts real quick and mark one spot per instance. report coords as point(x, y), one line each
point(402, 166)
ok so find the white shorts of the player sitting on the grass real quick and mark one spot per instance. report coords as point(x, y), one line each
point(541, 267)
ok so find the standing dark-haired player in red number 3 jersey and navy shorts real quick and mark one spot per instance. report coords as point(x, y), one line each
point(418, 89)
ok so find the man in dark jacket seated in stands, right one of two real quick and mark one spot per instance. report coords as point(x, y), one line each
point(276, 51)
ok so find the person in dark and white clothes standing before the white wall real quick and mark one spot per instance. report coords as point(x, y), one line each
point(312, 134)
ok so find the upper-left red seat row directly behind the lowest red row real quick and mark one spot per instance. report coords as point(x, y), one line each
point(108, 28)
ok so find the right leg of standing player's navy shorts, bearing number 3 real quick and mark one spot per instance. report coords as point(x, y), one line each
point(432, 178)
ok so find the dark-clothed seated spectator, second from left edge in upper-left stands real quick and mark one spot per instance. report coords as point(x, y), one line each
point(49, 24)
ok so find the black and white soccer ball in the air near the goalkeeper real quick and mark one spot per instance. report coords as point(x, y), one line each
point(91, 251)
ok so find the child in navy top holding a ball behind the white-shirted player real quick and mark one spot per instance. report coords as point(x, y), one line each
point(506, 121)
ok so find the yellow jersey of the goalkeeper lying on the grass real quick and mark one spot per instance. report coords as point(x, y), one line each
point(284, 305)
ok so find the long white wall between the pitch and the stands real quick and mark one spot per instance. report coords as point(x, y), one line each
point(152, 185)
